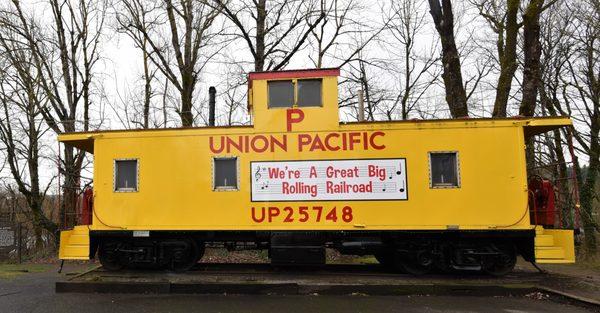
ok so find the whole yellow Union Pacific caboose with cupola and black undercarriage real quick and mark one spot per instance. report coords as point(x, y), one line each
point(451, 194)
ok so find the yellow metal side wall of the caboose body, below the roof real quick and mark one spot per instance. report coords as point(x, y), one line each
point(175, 181)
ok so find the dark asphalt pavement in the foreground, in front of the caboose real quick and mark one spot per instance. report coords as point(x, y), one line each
point(34, 292)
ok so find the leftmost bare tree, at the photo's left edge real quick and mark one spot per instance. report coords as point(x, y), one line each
point(22, 128)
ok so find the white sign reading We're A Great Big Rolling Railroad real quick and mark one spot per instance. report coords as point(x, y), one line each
point(372, 179)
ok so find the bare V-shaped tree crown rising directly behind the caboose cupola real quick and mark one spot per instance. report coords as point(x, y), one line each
point(277, 29)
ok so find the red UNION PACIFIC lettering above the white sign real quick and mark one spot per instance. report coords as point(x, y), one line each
point(335, 141)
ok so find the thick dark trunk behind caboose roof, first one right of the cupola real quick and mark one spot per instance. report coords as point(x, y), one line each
point(443, 18)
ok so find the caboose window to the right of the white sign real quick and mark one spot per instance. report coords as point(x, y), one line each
point(443, 168)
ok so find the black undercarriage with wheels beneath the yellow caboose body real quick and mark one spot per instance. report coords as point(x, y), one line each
point(414, 252)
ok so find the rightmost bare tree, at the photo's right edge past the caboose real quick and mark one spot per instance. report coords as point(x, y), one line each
point(572, 85)
